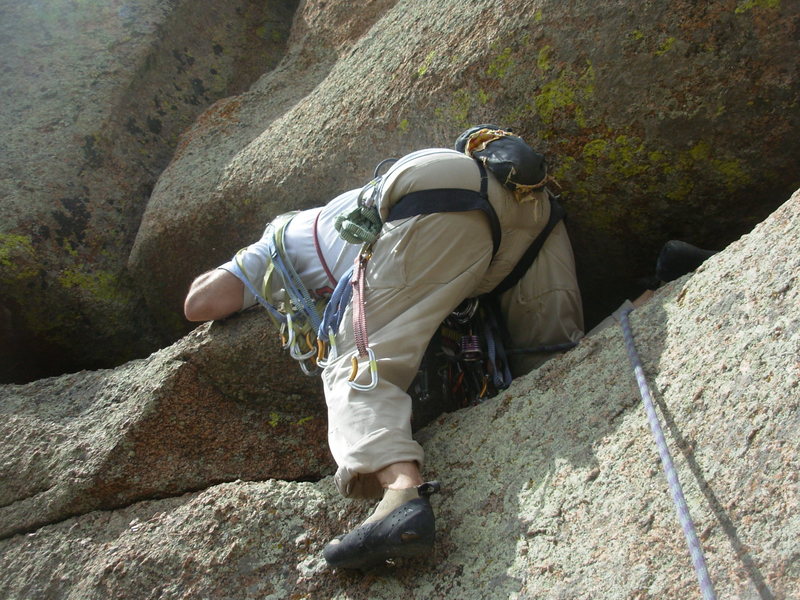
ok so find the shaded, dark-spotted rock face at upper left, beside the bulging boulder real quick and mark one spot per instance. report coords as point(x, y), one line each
point(93, 97)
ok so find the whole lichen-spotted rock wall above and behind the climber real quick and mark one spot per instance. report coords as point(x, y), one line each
point(661, 120)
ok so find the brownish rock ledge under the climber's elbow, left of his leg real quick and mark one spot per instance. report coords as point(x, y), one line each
point(224, 403)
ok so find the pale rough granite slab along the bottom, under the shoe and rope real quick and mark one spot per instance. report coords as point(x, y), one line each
point(551, 490)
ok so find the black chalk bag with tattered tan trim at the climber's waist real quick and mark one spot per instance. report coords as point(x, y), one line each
point(513, 162)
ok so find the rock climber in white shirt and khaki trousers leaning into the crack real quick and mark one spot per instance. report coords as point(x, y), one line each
point(414, 272)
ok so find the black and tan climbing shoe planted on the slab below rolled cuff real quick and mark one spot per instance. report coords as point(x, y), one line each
point(402, 525)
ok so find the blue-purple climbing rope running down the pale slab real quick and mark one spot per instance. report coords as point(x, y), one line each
point(696, 551)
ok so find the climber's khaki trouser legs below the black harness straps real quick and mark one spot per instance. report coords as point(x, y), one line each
point(421, 269)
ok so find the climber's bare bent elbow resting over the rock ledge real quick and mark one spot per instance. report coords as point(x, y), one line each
point(213, 295)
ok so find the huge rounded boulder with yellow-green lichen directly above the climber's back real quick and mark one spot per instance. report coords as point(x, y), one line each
point(661, 120)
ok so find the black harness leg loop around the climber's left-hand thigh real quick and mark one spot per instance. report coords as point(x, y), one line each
point(426, 202)
